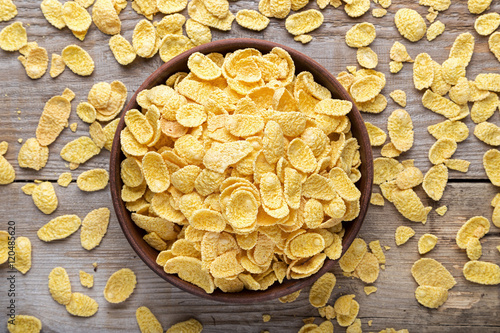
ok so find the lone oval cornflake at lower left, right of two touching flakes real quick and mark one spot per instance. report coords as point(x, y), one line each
point(120, 286)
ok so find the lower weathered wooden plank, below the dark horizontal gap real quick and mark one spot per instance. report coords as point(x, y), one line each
point(470, 307)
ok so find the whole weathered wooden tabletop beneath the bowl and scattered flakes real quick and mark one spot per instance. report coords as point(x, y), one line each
point(470, 307)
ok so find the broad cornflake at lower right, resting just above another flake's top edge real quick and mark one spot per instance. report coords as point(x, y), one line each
point(429, 272)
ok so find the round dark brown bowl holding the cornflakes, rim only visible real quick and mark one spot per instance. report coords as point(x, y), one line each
point(302, 63)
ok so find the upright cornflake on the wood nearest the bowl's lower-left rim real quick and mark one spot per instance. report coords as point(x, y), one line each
point(94, 227)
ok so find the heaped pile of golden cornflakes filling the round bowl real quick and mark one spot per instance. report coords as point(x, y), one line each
point(241, 173)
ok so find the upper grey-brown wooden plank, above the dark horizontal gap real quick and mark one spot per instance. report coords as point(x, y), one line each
point(328, 48)
